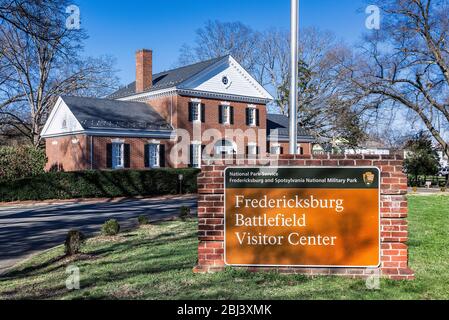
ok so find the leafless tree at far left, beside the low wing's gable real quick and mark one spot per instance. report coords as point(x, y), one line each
point(40, 59)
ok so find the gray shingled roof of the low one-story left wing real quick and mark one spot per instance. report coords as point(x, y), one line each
point(93, 113)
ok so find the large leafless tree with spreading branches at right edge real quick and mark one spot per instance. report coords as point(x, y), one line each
point(406, 63)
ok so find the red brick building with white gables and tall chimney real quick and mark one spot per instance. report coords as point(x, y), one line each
point(170, 119)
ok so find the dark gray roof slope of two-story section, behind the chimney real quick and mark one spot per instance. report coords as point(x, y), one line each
point(167, 79)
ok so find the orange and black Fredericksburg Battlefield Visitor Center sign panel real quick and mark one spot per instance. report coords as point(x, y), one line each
point(302, 216)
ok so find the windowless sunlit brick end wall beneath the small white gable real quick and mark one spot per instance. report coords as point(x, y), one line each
point(68, 153)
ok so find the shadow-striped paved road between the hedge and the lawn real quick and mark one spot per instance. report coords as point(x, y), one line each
point(25, 230)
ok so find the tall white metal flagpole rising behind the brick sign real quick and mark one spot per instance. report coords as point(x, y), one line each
point(293, 113)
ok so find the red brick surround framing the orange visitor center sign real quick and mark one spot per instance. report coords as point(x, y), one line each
point(393, 208)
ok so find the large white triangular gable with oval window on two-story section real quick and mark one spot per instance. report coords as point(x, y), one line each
point(239, 81)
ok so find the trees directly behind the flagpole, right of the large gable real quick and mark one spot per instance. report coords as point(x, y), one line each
point(326, 106)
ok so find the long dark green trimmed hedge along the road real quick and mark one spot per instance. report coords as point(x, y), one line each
point(99, 184)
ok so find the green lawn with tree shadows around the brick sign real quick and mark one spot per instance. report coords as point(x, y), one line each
point(155, 262)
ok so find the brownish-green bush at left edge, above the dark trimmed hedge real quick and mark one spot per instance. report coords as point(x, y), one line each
point(21, 162)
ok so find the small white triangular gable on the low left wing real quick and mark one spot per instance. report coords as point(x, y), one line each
point(61, 121)
